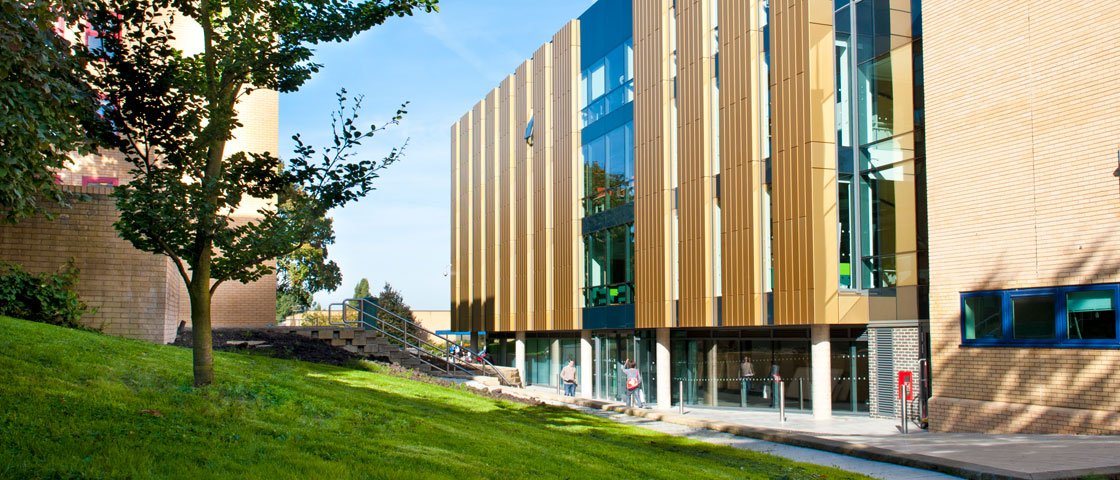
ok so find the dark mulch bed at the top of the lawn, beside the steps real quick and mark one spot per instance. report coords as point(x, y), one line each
point(281, 345)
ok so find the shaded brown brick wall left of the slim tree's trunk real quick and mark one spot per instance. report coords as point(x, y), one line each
point(130, 289)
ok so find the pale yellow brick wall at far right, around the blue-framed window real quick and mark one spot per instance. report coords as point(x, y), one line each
point(1023, 115)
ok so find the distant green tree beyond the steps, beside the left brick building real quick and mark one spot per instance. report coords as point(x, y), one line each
point(305, 272)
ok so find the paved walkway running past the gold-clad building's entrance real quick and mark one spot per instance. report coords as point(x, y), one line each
point(964, 455)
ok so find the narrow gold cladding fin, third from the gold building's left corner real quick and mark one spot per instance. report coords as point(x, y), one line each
point(479, 214)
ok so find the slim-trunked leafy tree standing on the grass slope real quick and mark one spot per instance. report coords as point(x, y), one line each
point(173, 114)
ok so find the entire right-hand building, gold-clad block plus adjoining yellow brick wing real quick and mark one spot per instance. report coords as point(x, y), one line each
point(701, 184)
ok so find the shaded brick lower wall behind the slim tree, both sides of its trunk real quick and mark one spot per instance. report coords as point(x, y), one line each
point(137, 295)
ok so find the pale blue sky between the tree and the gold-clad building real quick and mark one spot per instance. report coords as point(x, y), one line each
point(443, 64)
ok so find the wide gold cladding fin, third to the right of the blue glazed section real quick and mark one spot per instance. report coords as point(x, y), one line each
point(741, 163)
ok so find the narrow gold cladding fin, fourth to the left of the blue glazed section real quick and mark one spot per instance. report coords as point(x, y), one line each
point(507, 272)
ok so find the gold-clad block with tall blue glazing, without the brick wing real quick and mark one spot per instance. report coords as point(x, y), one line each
point(697, 185)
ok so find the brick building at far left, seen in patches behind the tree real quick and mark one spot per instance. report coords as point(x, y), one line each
point(139, 295)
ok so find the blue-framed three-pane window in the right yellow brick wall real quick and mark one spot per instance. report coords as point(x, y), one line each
point(1084, 316)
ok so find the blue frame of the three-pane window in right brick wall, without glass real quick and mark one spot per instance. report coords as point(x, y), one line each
point(1061, 318)
